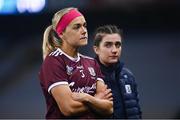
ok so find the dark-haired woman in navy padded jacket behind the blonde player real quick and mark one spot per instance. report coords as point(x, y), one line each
point(107, 46)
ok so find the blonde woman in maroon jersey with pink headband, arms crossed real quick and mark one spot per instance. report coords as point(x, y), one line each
point(72, 83)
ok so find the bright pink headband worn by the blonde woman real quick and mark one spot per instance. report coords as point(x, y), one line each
point(66, 19)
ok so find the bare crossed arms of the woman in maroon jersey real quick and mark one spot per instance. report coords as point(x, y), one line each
point(71, 103)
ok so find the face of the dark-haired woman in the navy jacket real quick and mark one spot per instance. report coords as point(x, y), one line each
point(109, 49)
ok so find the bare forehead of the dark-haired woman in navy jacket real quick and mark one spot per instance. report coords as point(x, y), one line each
point(111, 38)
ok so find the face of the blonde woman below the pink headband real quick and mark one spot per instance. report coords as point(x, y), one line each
point(75, 34)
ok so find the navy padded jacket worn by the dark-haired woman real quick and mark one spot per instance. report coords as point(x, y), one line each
point(124, 90)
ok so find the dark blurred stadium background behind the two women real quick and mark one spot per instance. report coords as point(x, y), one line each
point(151, 50)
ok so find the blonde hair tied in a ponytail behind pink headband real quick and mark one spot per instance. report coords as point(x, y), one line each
point(51, 39)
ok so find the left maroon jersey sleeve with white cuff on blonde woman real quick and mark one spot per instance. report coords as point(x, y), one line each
point(53, 73)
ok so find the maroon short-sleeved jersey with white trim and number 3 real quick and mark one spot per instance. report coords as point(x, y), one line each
point(81, 74)
